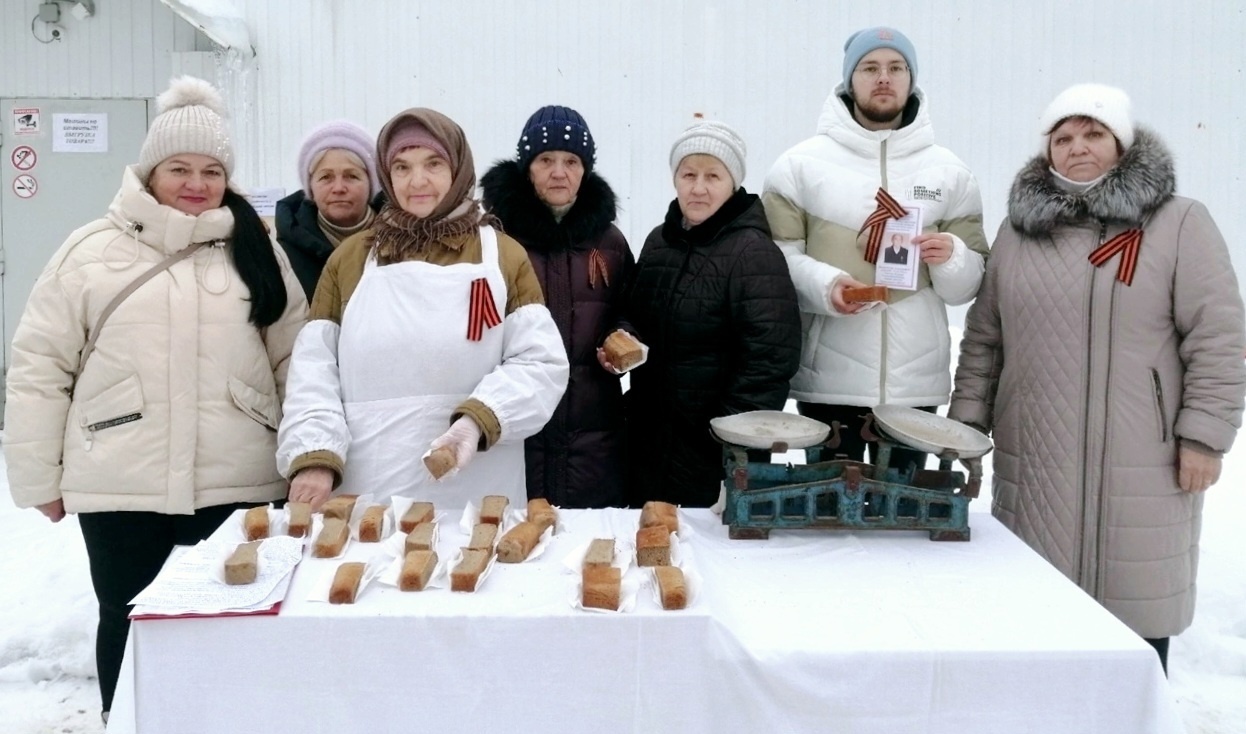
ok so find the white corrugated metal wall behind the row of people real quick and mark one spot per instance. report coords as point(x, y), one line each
point(640, 69)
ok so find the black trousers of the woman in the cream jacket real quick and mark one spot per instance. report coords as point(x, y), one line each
point(126, 551)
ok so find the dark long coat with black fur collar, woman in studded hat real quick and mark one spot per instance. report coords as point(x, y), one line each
point(578, 459)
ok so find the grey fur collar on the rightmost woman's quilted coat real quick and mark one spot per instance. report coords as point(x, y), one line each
point(1141, 184)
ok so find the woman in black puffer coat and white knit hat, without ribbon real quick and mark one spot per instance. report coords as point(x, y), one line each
point(713, 300)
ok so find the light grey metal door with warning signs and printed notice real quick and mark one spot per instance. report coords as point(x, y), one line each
point(62, 164)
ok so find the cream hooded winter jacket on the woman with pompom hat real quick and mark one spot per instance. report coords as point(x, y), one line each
point(179, 406)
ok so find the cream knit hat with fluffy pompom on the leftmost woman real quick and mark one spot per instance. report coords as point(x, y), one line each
point(191, 122)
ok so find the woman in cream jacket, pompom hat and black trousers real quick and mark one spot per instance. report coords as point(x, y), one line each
point(168, 427)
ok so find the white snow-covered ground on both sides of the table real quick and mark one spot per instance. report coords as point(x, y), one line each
point(48, 661)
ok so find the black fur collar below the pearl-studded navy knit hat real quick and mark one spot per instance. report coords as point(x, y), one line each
point(510, 195)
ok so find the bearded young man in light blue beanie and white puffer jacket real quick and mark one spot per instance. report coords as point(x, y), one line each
point(874, 135)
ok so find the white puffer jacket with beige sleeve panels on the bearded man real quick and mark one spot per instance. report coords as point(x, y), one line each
point(818, 196)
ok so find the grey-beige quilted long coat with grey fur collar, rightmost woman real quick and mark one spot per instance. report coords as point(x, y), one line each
point(1090, 384)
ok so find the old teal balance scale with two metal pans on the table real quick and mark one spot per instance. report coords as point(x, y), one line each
point(843, 494)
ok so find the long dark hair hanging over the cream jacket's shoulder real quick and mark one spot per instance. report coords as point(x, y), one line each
point(256, 262)
